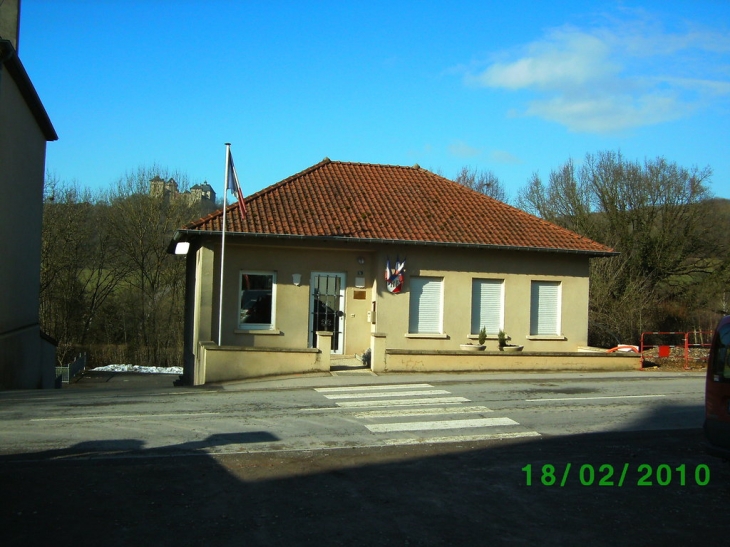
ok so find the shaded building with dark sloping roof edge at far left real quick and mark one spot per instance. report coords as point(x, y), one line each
point(27, 358)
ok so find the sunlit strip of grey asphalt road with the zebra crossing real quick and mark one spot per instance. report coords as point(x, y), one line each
point(310, 413)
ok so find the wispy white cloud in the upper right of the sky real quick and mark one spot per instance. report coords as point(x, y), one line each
point(626, 74)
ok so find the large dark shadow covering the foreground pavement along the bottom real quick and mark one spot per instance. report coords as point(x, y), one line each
point(118, 493)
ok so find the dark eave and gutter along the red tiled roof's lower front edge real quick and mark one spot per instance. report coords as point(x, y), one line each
point(181, 235)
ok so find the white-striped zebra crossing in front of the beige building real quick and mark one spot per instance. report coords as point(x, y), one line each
point(420, 409)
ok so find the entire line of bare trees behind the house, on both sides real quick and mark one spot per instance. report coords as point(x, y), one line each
point(108, 286)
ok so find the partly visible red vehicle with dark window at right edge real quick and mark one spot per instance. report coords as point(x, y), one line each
point(717, 392)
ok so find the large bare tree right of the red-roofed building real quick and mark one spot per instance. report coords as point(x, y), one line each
point(654, 213)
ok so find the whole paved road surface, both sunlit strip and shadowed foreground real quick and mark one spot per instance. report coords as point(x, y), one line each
point(560, 460)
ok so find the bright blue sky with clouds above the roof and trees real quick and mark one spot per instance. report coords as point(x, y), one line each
point(512, 87)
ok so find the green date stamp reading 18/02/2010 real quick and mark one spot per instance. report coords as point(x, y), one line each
point(609, 475)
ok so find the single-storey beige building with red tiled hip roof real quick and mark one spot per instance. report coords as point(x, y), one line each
point(305, 277)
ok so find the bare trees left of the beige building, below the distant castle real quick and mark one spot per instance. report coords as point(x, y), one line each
point(108, 286)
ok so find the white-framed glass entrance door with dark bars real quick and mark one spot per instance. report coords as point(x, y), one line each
point(327, 308)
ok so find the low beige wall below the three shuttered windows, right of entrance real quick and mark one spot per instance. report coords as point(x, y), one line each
point(519, 361)
